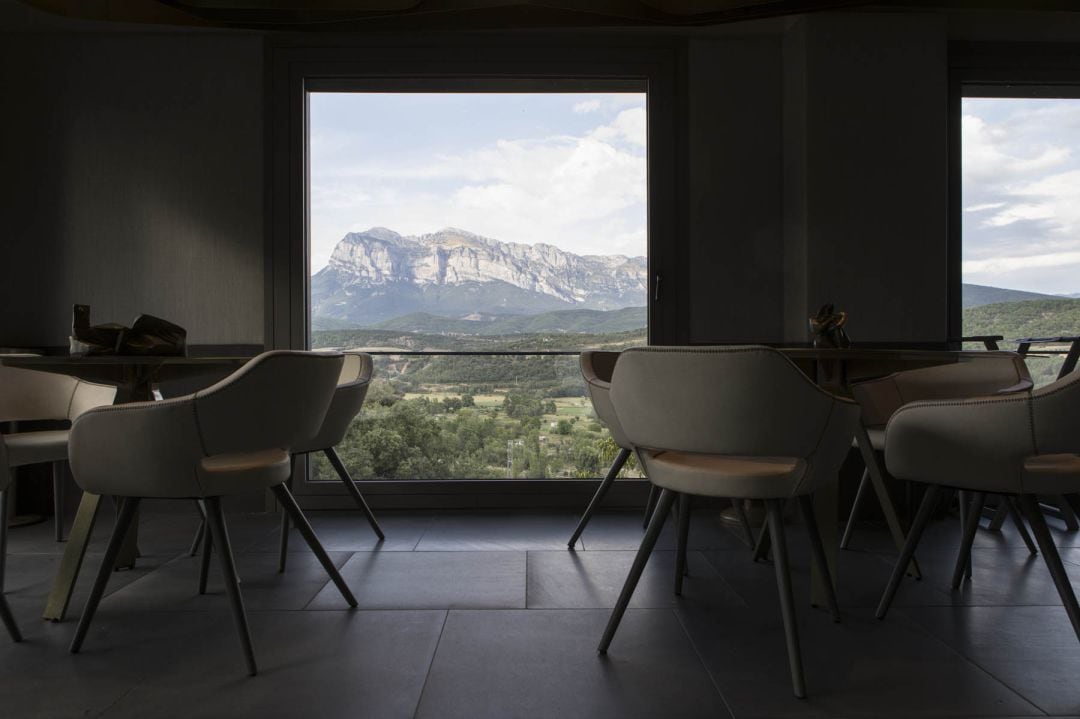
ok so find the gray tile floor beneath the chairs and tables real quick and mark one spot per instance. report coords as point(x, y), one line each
point(488, 615)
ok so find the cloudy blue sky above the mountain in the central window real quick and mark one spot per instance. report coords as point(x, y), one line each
point(568, 169)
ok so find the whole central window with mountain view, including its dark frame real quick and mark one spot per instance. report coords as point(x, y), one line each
point(475, 230)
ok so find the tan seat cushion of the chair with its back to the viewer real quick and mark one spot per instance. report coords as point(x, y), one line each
point(718, 476)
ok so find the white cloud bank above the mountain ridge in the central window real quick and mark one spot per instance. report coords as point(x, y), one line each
point(586, 194)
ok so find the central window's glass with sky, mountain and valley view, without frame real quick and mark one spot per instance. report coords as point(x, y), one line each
point(477, 242)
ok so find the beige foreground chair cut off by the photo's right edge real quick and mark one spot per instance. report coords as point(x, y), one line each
point(1021, 445)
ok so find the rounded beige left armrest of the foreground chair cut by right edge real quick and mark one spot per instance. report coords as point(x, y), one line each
point(979, 443)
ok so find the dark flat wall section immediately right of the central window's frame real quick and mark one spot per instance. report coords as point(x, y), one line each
point(736, 204)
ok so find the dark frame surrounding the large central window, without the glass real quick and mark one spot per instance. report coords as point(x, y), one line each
point(298, 71)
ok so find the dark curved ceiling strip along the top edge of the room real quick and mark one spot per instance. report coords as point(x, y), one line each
point(337, 16)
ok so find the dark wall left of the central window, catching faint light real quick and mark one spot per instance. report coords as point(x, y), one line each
point(133, 183)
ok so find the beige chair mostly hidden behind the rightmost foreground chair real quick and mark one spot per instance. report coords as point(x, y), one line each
point(987, 374)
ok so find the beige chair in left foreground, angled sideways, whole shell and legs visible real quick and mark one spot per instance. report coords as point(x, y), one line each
point(229, 439)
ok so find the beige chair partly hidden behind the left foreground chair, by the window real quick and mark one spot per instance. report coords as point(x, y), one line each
point(348, 399)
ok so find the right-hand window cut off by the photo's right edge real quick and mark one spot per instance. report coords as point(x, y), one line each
point(1021, 219)
